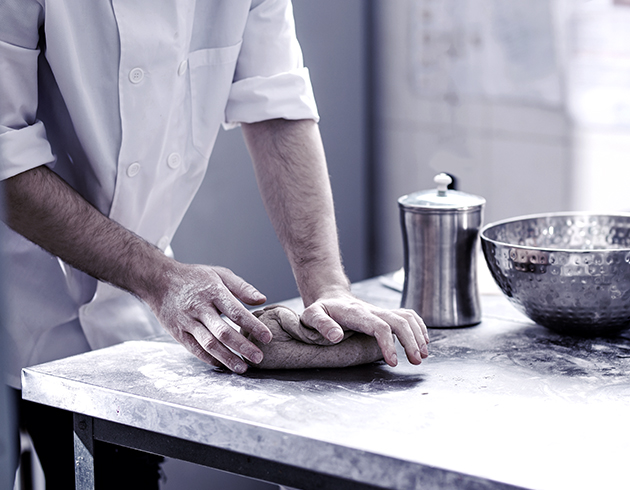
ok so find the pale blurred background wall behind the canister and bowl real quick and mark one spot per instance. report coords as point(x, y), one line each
point(527, 102)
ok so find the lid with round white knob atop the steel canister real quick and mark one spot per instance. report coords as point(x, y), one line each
point(440, 198)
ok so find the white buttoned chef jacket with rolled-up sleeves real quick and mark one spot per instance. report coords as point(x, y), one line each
point(124, 100)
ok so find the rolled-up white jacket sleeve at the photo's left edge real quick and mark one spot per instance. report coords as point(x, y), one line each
point(23, 143)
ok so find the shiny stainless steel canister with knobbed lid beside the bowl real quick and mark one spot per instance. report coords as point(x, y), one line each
point(440, 235)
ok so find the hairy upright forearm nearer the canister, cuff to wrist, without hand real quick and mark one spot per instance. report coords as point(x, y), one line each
point(292, 175)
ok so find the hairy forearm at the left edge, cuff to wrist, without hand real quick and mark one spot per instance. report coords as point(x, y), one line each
point(46, 210)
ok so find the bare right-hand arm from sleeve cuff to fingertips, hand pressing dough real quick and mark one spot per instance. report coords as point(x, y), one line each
point(291, 169)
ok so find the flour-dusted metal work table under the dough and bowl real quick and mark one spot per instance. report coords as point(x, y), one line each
point(503, 404)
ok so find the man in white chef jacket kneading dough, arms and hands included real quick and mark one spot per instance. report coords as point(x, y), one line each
point(108, 114)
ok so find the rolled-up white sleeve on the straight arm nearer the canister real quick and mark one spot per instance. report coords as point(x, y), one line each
point(270, 80)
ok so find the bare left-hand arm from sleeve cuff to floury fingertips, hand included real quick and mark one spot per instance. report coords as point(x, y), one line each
point(187, 299)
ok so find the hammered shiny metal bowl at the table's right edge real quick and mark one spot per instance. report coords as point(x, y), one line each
point(569, 272)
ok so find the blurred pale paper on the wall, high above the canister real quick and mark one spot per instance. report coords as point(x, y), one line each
point(493, 49)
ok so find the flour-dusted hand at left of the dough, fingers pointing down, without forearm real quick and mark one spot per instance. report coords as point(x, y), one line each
point(189, 305)
